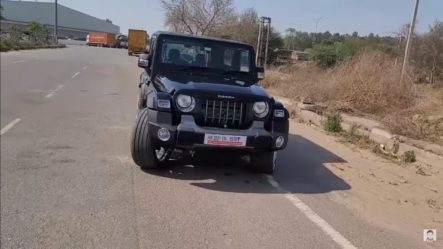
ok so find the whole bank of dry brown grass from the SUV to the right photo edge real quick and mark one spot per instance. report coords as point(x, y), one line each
point(367, 85)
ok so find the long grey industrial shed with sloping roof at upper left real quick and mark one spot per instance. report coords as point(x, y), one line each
point(71, 23)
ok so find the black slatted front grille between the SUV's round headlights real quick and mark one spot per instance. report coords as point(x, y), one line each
point(223, 113)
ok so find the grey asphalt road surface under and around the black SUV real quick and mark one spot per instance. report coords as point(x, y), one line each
point(68, 181)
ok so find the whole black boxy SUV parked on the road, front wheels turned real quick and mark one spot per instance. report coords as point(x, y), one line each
point(200, 93)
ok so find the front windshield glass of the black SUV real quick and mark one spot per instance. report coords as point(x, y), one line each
point(222, 57)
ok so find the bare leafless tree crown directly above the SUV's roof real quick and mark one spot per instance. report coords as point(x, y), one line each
point(196, 16)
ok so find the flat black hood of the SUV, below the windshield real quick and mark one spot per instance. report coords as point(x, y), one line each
point(209, 85)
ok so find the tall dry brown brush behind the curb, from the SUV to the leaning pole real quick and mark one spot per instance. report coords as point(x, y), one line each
point(367, 84)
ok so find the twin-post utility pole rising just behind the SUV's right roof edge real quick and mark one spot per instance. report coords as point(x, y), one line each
point(261, 56)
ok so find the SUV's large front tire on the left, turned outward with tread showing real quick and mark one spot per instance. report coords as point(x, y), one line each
point(144, 153)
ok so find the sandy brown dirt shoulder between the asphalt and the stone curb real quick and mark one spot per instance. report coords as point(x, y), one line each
point(403, 197)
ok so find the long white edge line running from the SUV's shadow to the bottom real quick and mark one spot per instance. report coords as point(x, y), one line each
point(312, 216)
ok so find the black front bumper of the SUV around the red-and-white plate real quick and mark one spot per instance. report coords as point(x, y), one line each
point(188, 135)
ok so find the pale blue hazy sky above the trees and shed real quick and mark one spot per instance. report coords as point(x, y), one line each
point(383, 17)
